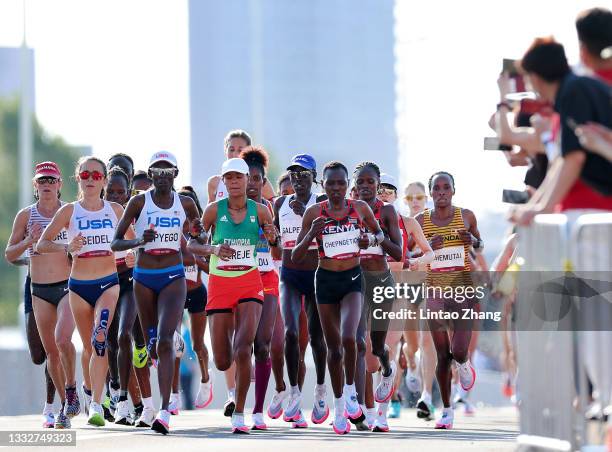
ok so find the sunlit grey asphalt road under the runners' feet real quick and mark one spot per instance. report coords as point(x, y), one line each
point(491, 429)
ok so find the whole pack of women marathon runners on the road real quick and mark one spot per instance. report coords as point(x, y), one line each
point(123, 262)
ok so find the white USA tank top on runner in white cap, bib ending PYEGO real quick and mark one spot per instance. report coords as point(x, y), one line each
point(168, 225)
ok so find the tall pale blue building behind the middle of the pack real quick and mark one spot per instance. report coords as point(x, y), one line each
point(301, 76)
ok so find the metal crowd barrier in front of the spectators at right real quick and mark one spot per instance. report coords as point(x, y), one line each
point(553, 362)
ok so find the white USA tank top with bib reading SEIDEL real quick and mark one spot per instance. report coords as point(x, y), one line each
point(97, 227)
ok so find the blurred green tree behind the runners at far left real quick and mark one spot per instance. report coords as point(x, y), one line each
point(45, 147)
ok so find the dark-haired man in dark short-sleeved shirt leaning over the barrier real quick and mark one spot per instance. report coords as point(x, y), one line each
point(577, 100)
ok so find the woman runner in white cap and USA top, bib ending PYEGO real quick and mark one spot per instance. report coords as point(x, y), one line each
point(159, 276)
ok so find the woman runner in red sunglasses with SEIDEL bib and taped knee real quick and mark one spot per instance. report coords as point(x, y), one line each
point(90, 222)
